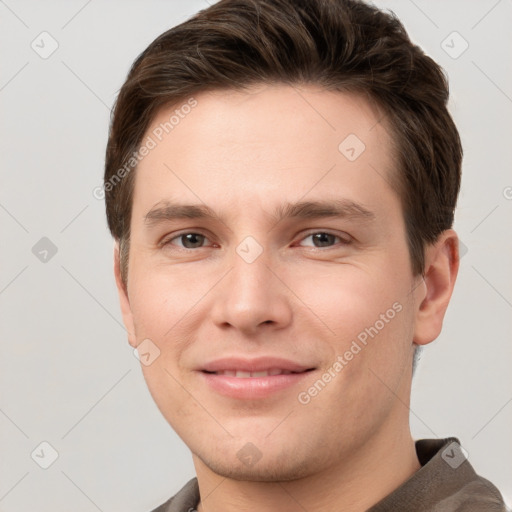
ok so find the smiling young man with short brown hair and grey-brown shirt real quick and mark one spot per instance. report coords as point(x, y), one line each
point(281, 178)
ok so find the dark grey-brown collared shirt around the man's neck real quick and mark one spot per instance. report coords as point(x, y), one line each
point(446, 482)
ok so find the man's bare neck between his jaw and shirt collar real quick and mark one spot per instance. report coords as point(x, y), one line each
point(354, 484)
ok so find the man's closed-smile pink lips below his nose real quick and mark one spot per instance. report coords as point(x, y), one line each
point(251, 388)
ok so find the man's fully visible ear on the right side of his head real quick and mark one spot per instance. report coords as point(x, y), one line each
point(441, 268)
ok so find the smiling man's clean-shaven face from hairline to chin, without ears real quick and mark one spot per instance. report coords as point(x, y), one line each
point(330, 294)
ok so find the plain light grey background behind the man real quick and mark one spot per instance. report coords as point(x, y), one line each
point(67, 373)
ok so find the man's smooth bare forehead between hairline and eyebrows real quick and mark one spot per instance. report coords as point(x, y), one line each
point(262, 144)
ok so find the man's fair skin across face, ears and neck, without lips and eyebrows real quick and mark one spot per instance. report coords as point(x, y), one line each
point(244, 154)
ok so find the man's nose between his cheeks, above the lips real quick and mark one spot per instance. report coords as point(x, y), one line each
point(252, 297)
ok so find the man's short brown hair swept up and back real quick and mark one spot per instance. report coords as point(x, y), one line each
point(341, 45)
